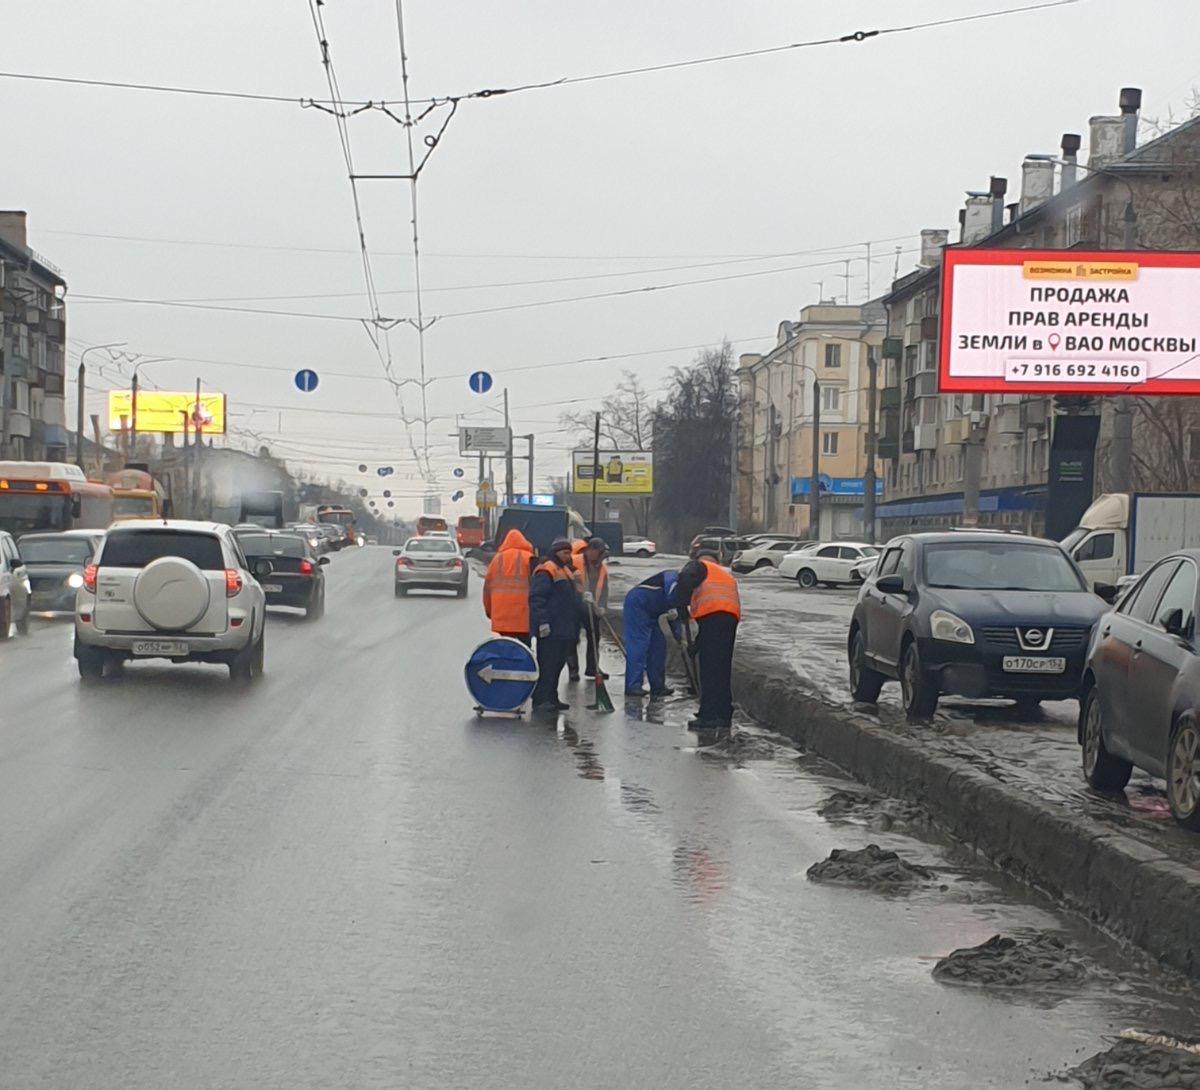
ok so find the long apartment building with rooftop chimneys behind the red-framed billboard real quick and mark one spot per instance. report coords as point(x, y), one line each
point(943, 452)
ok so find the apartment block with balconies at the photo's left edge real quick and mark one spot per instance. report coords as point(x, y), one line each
point(33, 349)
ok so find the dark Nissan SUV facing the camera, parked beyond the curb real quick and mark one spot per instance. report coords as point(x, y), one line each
point(974, 614)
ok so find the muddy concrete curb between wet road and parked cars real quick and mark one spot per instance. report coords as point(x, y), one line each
point(1118, 883)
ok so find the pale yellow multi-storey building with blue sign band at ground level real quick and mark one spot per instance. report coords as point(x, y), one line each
point(830, 345)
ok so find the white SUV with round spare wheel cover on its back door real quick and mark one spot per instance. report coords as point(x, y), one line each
point(172, 590)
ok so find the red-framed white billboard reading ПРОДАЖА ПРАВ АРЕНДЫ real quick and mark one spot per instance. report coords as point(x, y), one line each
point(1070, 322)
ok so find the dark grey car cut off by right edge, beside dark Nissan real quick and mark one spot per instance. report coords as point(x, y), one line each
point(1142, 687)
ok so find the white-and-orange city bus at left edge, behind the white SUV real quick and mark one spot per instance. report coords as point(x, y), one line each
point(51, 496)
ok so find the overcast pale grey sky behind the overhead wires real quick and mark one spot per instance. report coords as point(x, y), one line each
point(650, 179)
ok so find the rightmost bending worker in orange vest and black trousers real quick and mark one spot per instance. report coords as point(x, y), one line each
point(710, 594)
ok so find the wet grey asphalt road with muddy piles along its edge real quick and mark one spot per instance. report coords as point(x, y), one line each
point(341, 879)
